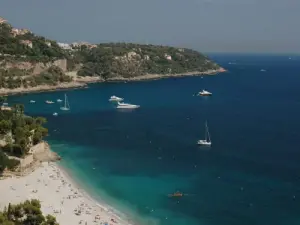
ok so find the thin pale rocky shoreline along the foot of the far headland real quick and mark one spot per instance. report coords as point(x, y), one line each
point(83, 82)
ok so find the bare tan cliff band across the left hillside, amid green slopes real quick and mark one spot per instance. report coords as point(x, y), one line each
point(34, 67)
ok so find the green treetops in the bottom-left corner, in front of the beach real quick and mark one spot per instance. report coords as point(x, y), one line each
point(27, 213)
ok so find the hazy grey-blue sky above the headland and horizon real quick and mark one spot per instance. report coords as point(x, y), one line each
point(206, 25)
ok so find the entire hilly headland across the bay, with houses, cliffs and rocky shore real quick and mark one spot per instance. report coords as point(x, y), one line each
point(31, 62)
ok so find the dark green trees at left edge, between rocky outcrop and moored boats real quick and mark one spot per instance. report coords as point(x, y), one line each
point(19, 132)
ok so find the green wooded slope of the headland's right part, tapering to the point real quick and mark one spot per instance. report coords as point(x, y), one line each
point(129, 60)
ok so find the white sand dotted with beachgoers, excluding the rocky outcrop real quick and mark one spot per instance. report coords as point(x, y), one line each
point(59, 197)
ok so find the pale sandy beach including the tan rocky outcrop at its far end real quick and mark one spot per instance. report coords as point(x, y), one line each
point(60, 194)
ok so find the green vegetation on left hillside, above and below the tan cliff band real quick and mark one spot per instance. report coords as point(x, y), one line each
point(13, 51)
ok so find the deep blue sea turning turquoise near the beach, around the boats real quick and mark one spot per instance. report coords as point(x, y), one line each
point(133, 159)
